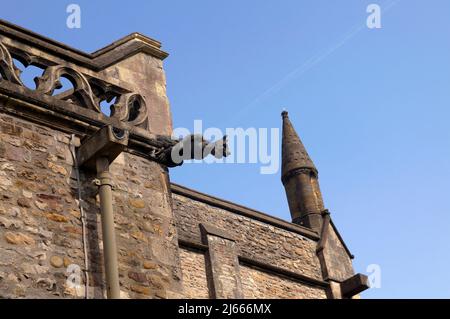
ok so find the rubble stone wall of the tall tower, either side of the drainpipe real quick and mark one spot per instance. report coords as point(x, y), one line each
point(40, 227)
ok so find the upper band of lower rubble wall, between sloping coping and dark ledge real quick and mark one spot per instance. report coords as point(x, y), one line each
point(255, 239)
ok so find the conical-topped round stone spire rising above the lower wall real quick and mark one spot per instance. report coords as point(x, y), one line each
point(300, 179)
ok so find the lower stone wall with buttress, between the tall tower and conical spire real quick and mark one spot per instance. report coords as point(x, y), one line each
point(268, 256)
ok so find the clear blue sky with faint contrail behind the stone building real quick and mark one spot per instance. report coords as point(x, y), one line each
point(372, 108)
